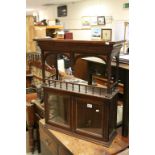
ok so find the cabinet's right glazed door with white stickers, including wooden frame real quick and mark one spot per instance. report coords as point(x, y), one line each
point(88, 117)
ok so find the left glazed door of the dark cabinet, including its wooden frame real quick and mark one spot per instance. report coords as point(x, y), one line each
point(59, 110)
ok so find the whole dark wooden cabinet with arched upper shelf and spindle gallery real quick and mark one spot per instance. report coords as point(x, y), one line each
point(81, 109)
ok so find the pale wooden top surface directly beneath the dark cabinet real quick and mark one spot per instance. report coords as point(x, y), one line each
point(81, 147)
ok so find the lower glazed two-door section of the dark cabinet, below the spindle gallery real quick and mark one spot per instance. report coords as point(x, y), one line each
point(88, 116)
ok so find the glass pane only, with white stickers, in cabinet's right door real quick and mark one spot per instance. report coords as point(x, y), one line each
point(89, 117)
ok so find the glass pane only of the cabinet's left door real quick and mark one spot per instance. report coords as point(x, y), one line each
point(59, 109)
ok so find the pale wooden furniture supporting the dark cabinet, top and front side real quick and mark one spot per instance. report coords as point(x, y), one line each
point(58, 143)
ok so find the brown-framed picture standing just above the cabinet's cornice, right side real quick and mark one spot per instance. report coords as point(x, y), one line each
point(106, 34)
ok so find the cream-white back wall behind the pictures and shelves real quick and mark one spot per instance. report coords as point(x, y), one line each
point(76, 10)
